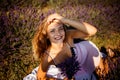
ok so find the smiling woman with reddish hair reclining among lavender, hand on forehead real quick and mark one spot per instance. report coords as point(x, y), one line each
point(55, 45)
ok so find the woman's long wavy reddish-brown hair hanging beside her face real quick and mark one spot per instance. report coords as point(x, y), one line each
point(40, 42)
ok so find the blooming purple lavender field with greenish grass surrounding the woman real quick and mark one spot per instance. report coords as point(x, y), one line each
point(19, 20)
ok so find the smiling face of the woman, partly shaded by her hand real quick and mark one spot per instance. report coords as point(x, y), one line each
point(56, 32)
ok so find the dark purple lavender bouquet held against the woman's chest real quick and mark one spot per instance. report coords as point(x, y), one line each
point(70, 66)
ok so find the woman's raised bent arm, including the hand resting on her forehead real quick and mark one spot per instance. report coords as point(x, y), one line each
point(83, 29)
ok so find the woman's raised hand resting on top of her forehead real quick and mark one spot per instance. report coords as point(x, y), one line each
point(53, 17)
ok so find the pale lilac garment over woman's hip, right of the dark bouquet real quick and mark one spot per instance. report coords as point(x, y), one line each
point(88, 56)
